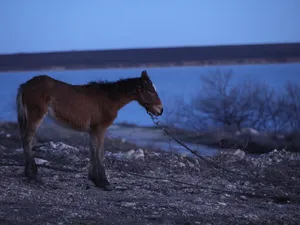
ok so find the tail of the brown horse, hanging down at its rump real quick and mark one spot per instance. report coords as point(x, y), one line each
point(21, 110)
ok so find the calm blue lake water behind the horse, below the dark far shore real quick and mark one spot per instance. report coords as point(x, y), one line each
point(170, 82)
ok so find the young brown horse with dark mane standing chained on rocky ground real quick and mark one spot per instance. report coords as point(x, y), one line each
point(88, 108)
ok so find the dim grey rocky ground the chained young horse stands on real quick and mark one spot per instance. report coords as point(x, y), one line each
point(152, 186)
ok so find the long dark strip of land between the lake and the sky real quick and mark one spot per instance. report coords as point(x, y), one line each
point(153, 57)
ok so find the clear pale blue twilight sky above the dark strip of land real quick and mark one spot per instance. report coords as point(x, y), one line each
point(57, 25)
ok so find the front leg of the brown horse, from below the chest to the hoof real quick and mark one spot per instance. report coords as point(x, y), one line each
point(97, 171)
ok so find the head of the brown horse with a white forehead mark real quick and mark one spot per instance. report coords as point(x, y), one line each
point(147, 95)
